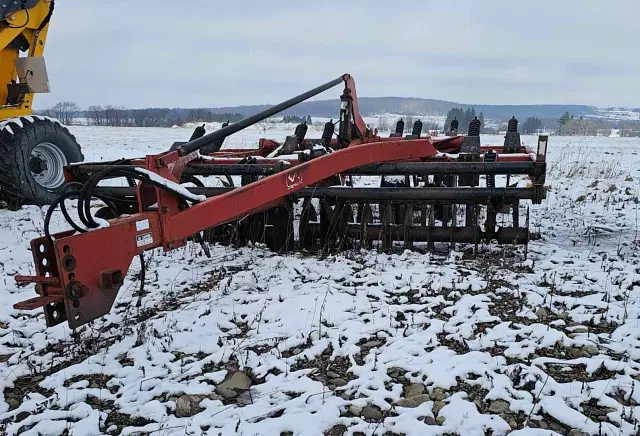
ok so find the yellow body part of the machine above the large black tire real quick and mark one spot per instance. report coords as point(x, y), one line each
point(23, 34)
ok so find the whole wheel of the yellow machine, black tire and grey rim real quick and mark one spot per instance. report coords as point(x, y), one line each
point(33, 153)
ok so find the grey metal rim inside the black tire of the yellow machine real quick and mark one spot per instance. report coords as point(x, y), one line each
point(46, 164)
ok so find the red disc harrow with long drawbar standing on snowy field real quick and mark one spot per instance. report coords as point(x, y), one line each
point(298, 194)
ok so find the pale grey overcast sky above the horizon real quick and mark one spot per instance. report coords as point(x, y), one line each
point(193, 53)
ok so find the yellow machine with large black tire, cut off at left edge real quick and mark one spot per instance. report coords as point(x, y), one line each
point(33, 149)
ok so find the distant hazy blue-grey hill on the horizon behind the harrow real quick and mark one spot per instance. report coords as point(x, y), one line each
point(371, 106)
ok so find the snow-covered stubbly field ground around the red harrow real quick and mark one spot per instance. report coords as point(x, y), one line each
point(251, 343)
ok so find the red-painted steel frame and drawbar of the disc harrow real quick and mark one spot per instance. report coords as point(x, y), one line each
point(79, 274)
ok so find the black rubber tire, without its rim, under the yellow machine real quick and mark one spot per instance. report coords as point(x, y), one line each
point(17, 185)
